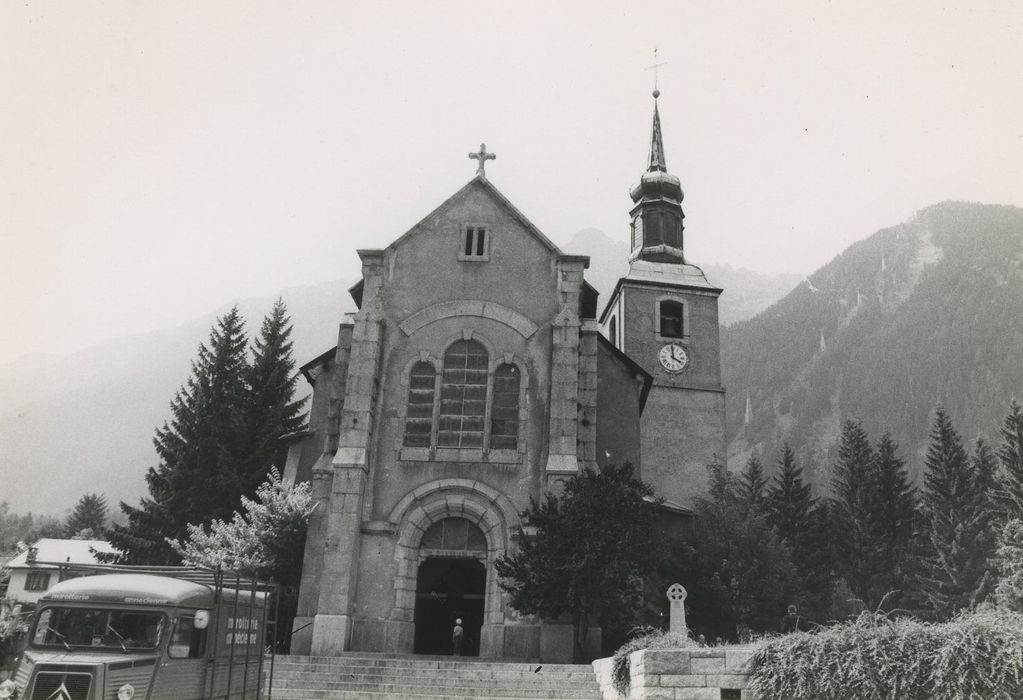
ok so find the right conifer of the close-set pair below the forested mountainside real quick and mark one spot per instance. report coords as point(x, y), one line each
point(894, 512)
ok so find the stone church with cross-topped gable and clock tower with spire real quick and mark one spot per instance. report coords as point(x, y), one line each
point(479, 372)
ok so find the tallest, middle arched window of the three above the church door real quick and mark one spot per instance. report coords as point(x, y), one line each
point(464, 397)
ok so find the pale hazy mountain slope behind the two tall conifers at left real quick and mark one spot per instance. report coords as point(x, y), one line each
point(84, 422)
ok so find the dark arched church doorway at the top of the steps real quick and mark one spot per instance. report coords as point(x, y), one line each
point(451, 585)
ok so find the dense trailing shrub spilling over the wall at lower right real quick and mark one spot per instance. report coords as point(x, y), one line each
point(976, 655)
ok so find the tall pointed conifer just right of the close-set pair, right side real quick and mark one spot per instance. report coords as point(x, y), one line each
point(958, 540)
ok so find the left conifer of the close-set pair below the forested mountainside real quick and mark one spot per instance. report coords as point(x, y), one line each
point(851, 509)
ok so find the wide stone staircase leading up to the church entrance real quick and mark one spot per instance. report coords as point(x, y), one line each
point(363, 676)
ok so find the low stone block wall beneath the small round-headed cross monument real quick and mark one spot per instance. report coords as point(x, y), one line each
point(698, 674)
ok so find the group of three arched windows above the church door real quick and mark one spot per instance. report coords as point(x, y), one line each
point(464, 406)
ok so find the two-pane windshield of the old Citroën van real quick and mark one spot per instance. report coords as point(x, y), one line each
point(122, 630)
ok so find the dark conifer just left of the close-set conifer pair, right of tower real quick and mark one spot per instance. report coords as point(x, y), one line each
point(802, 524)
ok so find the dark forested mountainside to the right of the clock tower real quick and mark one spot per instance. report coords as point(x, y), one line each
point(927, 313)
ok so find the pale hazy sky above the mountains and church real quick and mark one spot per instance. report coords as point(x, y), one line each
point(160, 159)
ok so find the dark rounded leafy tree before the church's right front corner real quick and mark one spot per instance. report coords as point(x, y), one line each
point(594, 544)
